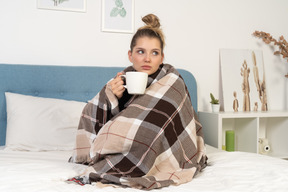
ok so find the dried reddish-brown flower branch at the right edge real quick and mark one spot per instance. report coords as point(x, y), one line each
point(282, 44)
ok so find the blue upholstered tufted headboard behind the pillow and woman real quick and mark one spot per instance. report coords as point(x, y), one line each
point(79, 83)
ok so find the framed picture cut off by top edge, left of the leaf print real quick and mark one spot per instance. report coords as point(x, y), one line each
point(63, 5)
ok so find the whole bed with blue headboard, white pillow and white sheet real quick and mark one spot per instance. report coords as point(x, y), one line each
point(36, 159)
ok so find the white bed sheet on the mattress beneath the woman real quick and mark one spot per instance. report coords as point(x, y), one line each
point(226, 171)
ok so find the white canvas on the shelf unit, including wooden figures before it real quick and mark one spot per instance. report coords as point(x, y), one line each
point(243, 79)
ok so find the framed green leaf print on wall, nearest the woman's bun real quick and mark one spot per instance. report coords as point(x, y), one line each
point(118, 16)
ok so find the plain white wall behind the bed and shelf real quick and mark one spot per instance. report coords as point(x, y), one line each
point(195, 31)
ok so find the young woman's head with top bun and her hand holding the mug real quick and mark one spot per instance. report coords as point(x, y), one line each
point(146, 51)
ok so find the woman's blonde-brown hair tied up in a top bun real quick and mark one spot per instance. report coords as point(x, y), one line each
point(151, 29)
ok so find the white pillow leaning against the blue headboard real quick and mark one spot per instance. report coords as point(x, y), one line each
point(41, 124)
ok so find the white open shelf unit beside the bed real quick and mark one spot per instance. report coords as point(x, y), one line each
point(248, 127)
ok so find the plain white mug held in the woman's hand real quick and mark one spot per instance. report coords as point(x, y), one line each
point(136, 82)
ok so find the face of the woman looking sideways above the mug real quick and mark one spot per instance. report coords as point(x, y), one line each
point(147, 55)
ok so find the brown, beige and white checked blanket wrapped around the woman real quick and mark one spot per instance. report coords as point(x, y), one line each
point(154, 142)
